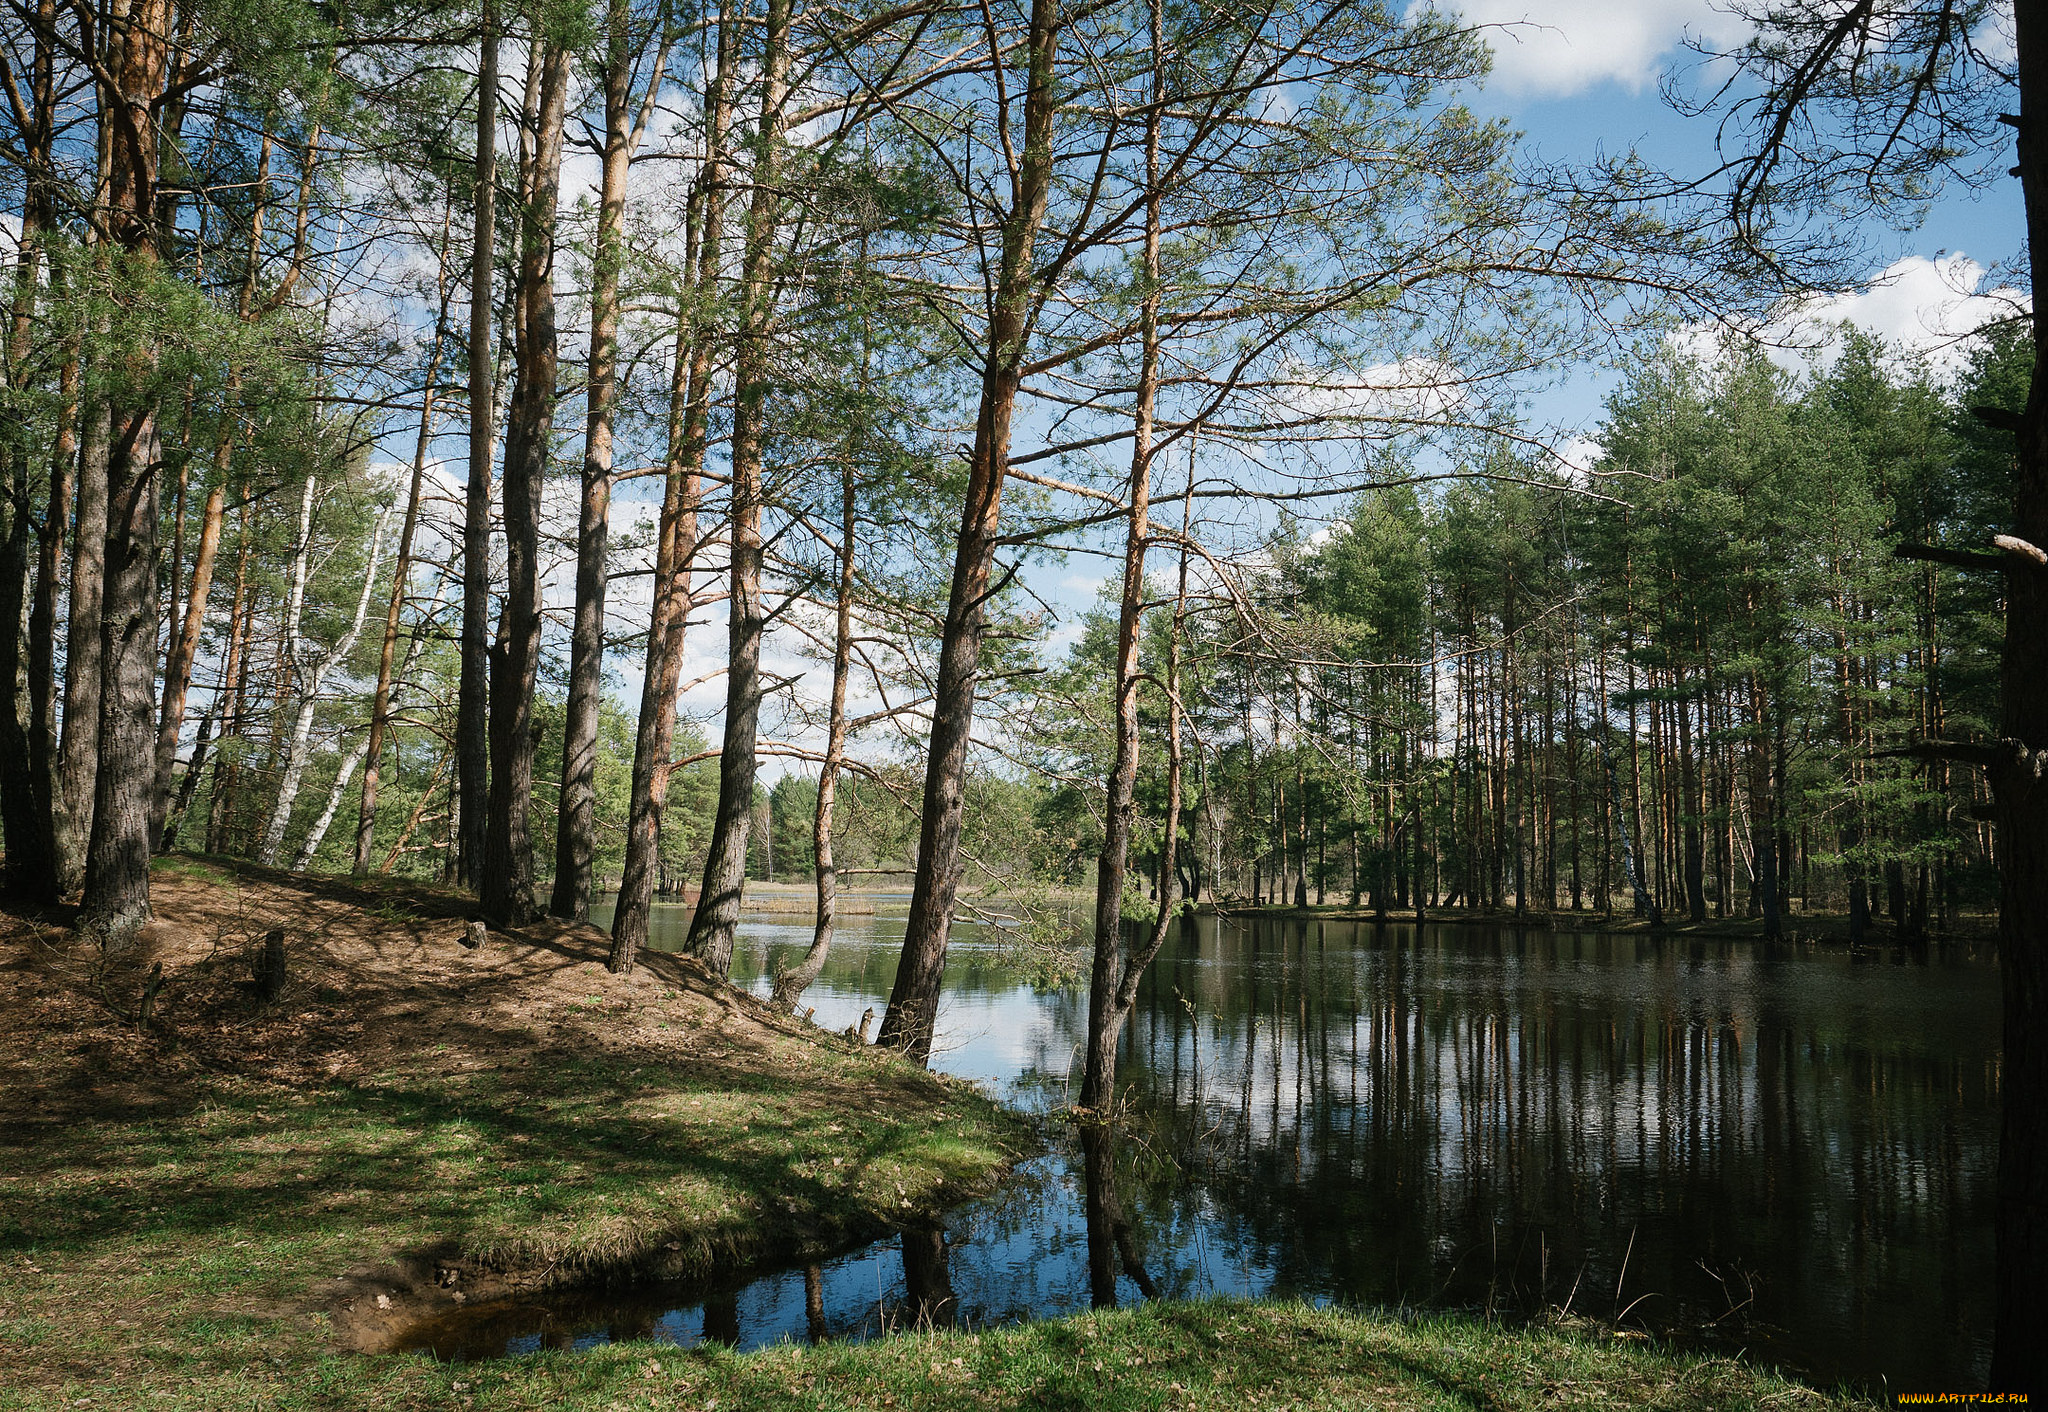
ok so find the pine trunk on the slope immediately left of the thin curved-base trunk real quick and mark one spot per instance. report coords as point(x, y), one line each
point(726, 862)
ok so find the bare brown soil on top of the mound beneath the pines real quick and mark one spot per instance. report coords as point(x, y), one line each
point(376, 977)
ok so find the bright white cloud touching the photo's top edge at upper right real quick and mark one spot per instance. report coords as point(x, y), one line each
point(1558, 48)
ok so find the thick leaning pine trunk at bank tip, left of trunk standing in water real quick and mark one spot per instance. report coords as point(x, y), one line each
point(914, 999)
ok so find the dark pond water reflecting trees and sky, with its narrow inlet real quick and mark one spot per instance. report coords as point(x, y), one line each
point(1777, 1149)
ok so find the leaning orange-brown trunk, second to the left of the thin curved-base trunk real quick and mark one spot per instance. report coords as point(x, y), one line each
point(677, 536)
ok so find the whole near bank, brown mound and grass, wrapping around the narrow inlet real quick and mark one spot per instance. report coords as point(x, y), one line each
point(241, 1202)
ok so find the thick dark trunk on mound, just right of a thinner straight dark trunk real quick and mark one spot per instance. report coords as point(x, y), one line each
point(509, 886)
